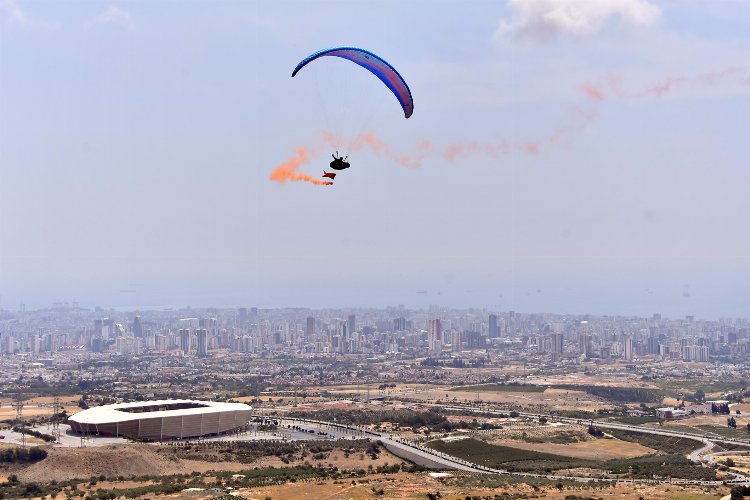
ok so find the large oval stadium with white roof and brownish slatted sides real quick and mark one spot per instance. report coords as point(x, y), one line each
point(162, 420)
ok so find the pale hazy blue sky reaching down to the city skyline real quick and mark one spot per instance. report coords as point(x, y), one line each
point(563, 156)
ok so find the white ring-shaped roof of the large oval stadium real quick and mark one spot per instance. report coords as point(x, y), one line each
point(125, 412)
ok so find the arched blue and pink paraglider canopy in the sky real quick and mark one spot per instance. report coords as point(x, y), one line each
point(375, 65)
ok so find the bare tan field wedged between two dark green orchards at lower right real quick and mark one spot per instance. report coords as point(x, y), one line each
point(595, 449)
